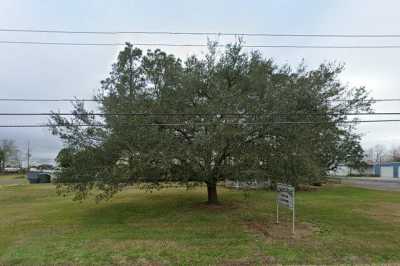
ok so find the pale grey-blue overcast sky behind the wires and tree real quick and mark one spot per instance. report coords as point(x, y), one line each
point(64, 72)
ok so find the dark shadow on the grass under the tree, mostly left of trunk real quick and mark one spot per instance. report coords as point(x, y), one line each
point(162, 207)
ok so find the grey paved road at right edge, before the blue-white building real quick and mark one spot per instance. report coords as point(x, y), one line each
point(388, 184)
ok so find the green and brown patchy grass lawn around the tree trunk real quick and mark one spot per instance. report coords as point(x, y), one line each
point(337, 224)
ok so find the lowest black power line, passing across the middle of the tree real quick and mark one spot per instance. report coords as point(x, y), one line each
point(205, 124)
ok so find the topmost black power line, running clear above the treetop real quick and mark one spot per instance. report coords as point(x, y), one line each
point(202, 33)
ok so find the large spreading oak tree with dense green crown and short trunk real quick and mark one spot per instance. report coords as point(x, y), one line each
point(227, 114)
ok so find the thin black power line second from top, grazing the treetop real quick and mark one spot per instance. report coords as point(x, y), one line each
point(204, 45)
